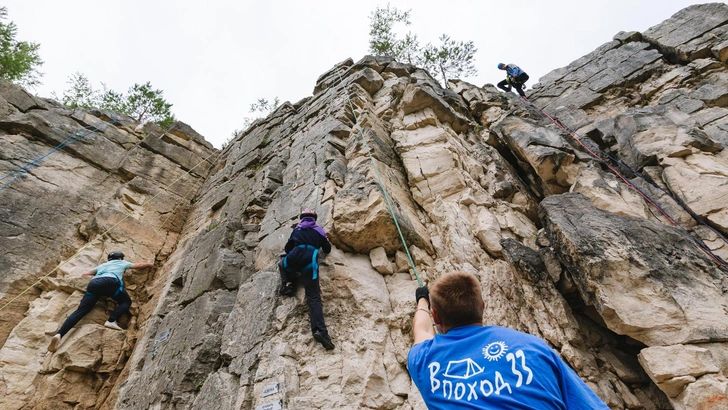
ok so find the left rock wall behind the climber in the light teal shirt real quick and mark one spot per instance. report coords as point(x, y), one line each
point(120, 187)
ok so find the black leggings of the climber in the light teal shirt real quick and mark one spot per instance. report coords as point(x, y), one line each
point(105, 286)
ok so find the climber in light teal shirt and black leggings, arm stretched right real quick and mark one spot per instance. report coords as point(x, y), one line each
point(106, 282)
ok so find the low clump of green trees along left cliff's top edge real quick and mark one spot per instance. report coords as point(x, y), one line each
point(141, 102)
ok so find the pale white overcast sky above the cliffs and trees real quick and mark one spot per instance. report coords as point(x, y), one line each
point(214, 58)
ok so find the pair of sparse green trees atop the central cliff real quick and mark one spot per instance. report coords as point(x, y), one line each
point(447, 60)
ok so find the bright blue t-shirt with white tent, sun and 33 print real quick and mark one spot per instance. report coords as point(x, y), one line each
point(492, 367)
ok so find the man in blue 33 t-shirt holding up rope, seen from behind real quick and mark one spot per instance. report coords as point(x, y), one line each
point(473, 366)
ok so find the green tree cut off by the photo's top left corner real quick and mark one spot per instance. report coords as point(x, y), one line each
point(19, 60)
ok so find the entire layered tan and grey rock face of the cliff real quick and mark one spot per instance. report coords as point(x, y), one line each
point(477, 181)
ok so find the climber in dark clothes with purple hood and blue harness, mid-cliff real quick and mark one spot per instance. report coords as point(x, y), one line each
point(301, 252)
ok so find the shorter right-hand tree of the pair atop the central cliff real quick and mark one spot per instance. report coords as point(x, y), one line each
point(450, 59)
